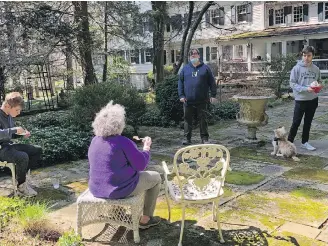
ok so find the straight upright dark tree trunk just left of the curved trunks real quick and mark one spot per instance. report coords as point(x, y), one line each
point(159, 9)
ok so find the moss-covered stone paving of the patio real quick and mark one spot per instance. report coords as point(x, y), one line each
point(286, 206)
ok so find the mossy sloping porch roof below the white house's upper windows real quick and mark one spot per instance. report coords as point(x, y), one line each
point(278, 31)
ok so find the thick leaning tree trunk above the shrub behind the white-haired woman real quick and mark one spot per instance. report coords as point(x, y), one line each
point(84, 40)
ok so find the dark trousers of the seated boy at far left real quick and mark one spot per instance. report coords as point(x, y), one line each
point(25, 156)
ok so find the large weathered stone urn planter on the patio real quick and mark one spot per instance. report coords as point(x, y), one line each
point(252, 113)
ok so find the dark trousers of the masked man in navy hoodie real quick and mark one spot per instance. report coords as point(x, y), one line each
point(200, 111)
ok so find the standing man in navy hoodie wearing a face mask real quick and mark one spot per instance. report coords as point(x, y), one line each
point(195, 81)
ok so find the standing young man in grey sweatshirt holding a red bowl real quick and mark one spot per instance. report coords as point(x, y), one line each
point(306, 100)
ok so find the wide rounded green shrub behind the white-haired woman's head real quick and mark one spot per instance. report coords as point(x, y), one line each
point(90, 99)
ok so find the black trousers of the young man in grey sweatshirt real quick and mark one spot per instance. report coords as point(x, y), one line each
point(306, 108)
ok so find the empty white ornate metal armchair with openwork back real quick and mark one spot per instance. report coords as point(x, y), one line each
point(197, 177)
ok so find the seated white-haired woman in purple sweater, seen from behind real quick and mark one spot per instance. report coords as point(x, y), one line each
point(116, 164)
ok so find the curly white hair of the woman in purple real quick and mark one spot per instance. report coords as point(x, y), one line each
point(109, 121)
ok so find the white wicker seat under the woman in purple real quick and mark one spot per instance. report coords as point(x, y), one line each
point(120, 212)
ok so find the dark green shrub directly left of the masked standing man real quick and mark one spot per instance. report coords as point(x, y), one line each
point(167, 99)
